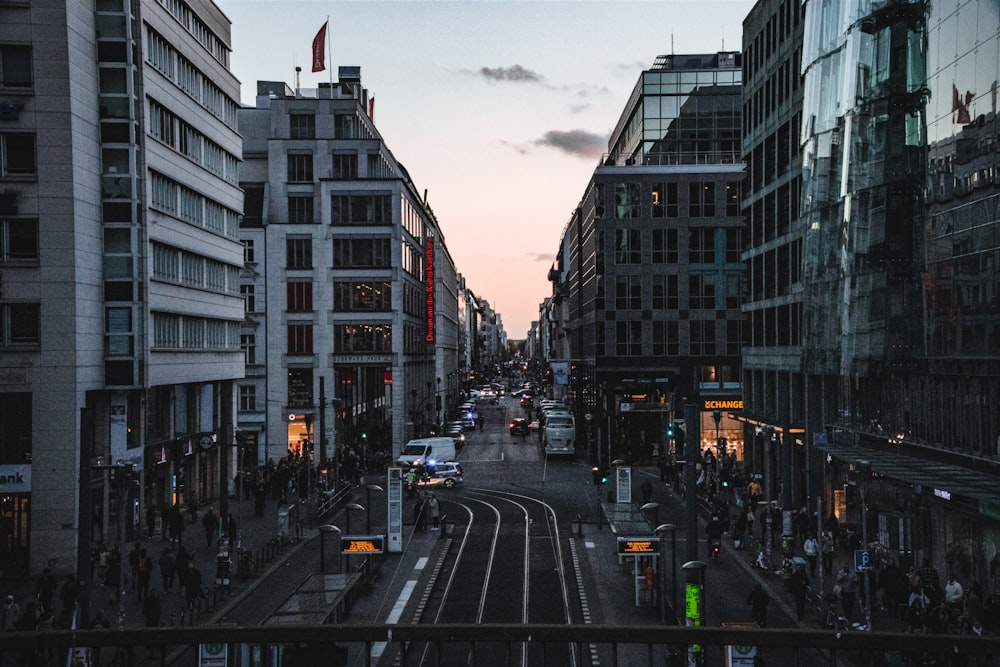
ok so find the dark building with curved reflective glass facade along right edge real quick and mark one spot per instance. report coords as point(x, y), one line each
point(890, 368)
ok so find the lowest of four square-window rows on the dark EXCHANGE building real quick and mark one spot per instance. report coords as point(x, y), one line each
point(660, 338)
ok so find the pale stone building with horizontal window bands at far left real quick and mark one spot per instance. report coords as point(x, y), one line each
point(120, 257)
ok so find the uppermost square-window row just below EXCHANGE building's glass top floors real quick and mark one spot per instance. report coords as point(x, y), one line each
point(661, 200)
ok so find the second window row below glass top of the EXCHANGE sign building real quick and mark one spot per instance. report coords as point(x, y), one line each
point(664, 246)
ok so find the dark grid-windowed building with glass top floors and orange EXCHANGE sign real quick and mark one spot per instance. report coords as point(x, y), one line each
point(649, 273)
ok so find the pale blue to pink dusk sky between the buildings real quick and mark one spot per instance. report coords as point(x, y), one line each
point(499, 110)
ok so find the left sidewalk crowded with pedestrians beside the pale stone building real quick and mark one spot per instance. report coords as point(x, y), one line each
point(257, 535)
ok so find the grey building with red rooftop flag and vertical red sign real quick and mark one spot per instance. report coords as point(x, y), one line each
point(351, 295)
